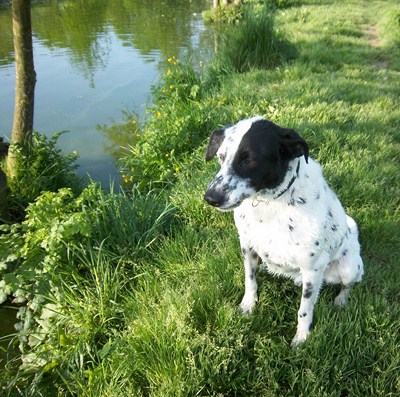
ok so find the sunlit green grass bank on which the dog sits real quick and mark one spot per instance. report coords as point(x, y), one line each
point(161, 318)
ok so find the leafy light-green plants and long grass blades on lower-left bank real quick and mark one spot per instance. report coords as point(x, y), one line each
point(68, 246)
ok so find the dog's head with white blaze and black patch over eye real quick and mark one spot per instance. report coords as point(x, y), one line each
point(254, 156)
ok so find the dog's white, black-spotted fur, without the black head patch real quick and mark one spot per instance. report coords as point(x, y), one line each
point(303, 234)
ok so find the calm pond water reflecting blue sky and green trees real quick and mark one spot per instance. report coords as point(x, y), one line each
point(95, 62)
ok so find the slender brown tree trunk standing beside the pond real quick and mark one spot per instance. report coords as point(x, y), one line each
point(25, 80)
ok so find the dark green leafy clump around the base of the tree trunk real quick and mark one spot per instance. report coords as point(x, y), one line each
point(41, 167)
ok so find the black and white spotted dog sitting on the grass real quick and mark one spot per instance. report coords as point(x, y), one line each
point(285, 213)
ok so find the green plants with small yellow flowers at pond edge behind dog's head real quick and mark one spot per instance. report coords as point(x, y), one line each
point(183, 113)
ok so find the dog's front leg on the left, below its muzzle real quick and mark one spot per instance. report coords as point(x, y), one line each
point(250, 283)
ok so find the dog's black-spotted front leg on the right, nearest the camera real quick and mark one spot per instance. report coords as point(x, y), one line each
point(312, 281)
